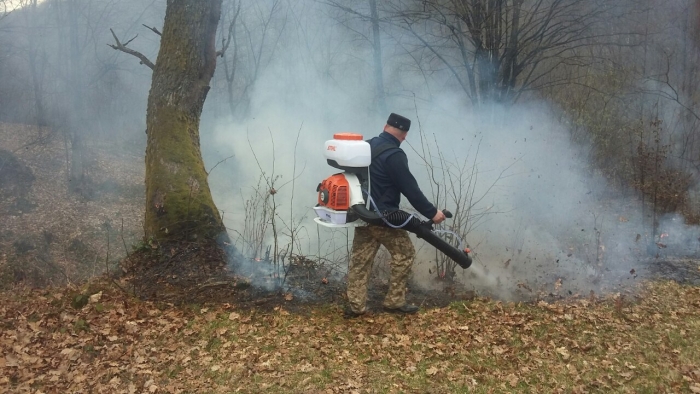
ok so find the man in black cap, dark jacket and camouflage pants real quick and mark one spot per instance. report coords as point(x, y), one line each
point(389, 177)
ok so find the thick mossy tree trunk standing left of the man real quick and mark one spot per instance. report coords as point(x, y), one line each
point(179, 205)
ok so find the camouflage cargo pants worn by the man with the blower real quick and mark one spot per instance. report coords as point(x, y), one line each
point(364, 248)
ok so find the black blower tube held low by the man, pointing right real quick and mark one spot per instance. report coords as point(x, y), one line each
point(422, 230)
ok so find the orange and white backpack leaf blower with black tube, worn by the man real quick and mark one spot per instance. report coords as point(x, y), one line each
point(342, 201)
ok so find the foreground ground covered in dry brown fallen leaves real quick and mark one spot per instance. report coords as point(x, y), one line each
point(646, 341)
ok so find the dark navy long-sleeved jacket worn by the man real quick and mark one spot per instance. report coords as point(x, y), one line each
point(390, 177)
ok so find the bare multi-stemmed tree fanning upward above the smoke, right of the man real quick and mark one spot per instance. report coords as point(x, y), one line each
point(497, 49)
